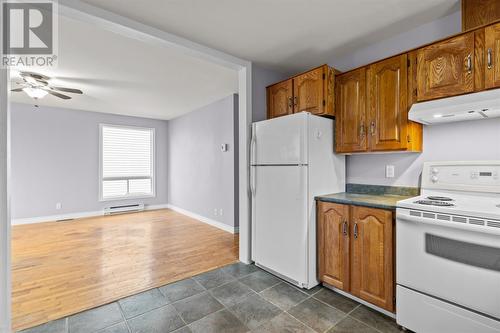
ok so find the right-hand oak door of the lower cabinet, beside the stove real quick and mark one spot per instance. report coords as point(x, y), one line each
point(372, 270)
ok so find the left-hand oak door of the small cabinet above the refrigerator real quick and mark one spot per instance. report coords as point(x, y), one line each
point(279, 99)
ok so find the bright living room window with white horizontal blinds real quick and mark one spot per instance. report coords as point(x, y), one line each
point(127, 162)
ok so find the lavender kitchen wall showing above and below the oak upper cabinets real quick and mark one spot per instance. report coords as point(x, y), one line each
point(473, 140)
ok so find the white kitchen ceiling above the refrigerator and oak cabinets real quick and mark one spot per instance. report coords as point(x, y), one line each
point(287, 35)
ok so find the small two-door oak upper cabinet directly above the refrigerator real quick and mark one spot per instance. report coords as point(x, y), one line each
point(309, 92)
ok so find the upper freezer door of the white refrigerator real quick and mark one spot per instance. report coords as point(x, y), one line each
point(281, 140)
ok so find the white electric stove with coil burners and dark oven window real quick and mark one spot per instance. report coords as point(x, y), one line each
point(448, 250)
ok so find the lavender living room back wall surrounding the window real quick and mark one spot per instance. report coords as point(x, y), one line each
point(55, 158)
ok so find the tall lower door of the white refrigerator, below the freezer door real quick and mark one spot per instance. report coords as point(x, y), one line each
point(280, 230)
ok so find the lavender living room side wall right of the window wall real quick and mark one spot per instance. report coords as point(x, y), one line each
point(201, 178)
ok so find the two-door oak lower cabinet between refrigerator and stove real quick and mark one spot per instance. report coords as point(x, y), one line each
point(356, 251)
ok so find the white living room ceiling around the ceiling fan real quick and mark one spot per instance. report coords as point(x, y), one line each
point(125, 76)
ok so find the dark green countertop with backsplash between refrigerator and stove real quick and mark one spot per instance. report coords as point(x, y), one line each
point(383, 198)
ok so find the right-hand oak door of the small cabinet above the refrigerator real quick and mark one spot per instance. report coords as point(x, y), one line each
point(308, 92)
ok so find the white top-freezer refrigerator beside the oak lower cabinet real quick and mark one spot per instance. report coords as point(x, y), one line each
point(292, 161)
